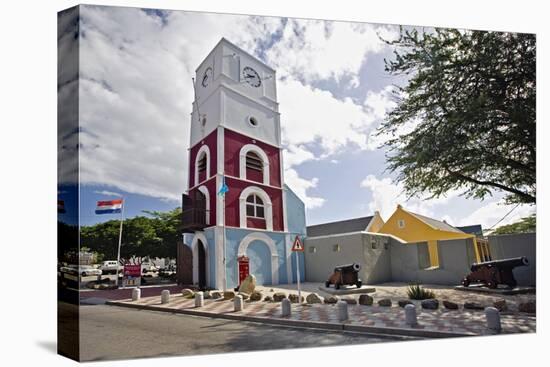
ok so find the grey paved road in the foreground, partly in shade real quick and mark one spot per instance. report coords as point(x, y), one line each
point(109, 332)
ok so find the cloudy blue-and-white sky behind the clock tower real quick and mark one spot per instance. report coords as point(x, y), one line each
point(135, 103)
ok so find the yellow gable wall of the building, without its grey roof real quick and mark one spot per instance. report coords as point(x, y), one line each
point(416, 230)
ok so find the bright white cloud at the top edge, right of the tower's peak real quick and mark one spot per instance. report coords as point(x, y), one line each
point(313, 49)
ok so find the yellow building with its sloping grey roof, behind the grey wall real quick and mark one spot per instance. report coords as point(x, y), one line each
point(413, 228)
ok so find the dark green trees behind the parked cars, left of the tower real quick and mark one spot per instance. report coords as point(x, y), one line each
point(153, 236)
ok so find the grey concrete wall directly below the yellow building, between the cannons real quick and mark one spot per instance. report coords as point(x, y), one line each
point(453, 263)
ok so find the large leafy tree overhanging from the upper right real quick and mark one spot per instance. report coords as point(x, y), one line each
point(466, 117)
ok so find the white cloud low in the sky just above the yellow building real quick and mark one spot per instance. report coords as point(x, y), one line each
point(386, 195)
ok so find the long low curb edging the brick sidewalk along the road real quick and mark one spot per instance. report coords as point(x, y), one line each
point(330, 326)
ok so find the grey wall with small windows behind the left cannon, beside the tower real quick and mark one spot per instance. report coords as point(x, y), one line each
point(355, 247)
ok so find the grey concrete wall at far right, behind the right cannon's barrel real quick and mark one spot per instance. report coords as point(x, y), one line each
point(516, 245)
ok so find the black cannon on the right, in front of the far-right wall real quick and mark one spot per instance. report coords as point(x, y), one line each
point(493, 273)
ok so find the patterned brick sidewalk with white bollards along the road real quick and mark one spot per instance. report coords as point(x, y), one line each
point(366, 319)
